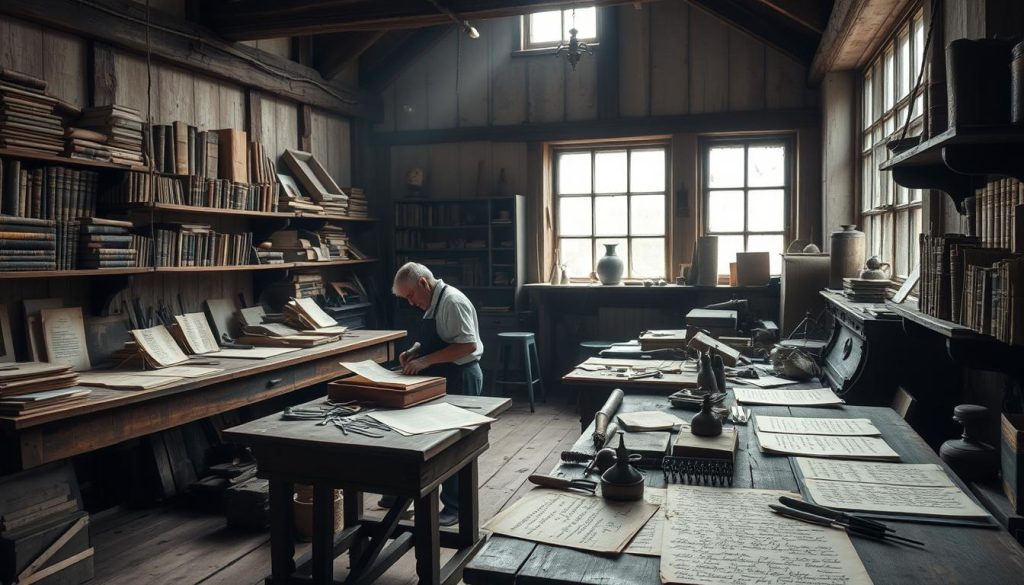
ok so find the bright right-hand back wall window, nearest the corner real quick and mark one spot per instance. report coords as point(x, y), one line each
point(747, 197)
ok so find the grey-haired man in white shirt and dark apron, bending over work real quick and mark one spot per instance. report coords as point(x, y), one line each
point(449, 346)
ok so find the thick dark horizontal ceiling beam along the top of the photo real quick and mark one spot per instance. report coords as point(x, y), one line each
point(249, 20)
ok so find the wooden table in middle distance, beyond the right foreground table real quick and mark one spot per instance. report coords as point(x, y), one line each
point(594, 388)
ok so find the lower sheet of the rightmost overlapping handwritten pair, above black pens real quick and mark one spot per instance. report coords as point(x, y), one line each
point(894, 499)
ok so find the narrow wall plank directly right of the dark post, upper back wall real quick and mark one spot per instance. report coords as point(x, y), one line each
point(634, 61)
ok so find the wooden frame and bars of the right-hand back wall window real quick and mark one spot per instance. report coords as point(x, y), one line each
point(707, 144)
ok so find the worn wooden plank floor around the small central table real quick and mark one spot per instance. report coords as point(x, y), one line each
point(174, 546)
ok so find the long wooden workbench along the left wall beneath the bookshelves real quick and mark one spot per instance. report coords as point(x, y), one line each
point(110, 416)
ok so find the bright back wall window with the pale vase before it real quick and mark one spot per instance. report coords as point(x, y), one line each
point(613, 195)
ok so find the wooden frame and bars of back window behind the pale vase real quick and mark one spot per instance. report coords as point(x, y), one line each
point(593, 149)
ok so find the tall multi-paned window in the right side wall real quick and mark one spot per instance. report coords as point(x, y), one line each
point(891, 215)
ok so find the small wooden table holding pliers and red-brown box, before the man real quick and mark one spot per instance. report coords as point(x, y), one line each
point(411, 469)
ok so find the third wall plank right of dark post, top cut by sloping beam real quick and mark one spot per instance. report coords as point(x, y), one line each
point(709, 63)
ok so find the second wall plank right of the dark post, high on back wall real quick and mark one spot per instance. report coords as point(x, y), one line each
point(670, 59)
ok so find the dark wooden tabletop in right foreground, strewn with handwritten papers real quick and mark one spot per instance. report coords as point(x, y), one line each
point(954, 555)
